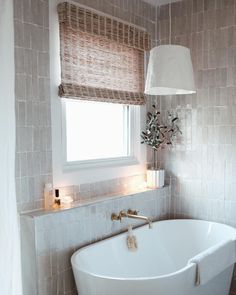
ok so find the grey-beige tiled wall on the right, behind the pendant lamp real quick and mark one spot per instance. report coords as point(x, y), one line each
point(201, 166)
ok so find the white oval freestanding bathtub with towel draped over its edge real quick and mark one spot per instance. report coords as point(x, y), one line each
point(158, 267)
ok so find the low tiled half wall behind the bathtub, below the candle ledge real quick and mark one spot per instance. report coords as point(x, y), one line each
point(49, 239)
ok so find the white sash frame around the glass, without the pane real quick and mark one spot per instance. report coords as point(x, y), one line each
point(131, 159)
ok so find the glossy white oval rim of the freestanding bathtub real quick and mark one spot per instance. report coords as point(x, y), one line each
point(183, 269)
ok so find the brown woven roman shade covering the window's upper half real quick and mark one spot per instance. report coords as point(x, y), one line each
point(102, 59)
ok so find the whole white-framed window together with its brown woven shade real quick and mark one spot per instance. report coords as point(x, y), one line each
point(101, 86)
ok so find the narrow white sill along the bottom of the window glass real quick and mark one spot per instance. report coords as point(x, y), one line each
point(121, 161)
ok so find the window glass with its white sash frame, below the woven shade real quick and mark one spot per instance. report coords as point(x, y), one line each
point(97, 134)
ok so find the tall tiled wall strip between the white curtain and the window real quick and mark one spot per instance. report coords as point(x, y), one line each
point(33, 113)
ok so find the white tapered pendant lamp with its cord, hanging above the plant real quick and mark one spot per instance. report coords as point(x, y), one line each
point(170, 70)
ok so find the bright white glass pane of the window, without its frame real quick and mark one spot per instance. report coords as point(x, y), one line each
point(96, 130)
